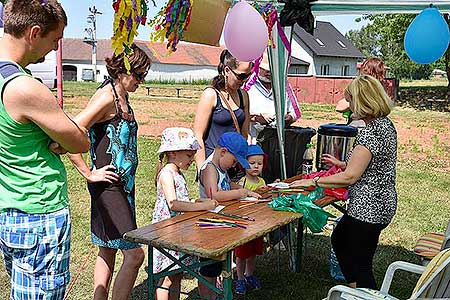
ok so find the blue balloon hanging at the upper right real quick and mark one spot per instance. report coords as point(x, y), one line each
point(427, 37)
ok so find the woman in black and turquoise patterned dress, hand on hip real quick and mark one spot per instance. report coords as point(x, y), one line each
point(113, 134)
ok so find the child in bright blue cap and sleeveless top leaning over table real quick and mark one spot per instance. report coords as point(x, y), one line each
point(214, 183)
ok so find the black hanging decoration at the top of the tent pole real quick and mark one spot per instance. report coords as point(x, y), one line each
point(298, 11)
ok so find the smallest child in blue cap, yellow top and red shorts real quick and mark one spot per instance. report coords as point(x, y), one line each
point(246, 254)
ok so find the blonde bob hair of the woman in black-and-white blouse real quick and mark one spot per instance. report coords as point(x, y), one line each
point(369, 97)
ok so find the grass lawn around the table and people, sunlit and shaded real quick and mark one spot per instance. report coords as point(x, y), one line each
point(424, 206)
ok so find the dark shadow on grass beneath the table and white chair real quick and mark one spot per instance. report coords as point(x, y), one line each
point(314, 280)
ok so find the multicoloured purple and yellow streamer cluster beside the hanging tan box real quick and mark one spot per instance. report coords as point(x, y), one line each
point(170, 23)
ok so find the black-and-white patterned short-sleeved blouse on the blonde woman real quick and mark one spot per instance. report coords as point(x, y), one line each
point(373, 198)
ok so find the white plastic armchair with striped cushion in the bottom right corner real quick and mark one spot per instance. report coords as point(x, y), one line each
point(433, 284)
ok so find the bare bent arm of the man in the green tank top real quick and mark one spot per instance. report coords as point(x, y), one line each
point(27, 100)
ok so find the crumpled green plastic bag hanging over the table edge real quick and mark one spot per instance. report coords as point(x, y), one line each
point(314, 217)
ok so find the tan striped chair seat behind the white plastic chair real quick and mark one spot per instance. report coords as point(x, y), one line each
point(429, 245)
